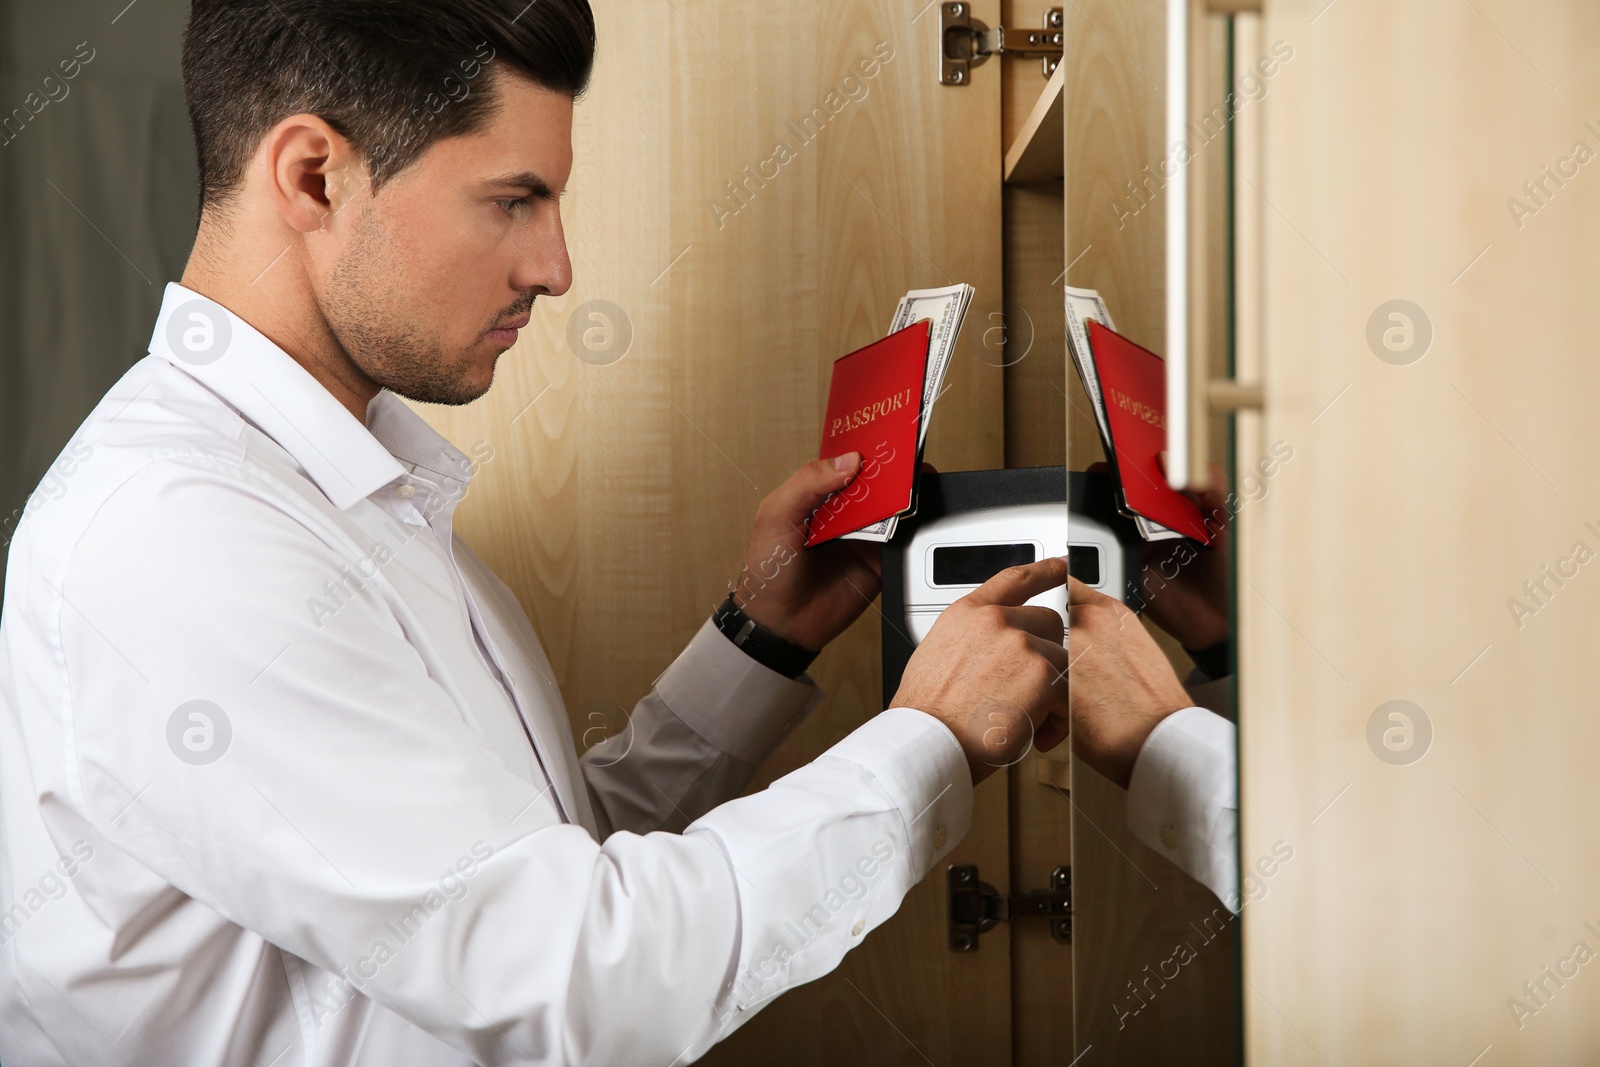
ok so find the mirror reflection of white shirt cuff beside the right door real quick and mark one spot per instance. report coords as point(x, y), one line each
point(1183, 799)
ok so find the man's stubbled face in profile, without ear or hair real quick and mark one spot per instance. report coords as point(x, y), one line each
point(428, 281)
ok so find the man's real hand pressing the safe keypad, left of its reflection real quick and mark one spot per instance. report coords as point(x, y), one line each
point(994, 669)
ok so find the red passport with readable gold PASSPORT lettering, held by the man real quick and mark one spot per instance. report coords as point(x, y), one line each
point(874, 407)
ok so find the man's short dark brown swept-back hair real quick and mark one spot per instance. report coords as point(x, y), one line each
point(391, 76)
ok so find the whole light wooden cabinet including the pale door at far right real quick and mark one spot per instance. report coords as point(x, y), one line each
point(758, 185)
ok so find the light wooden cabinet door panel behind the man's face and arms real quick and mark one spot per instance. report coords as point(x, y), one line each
point(756, 186)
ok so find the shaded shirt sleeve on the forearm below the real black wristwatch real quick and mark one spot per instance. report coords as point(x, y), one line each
point(695, 740)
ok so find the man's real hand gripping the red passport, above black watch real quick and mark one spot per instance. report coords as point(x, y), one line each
point(807, 596)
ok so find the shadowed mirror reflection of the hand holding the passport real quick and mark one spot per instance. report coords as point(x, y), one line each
point(1186, 585)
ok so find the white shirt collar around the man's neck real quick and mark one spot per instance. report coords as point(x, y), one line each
point(346, 460)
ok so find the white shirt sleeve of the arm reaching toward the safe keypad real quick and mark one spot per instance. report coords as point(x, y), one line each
point(359, 821)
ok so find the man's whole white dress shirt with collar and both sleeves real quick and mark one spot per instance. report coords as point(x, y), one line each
point(286, 777)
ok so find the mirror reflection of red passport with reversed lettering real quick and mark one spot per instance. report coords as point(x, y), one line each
point(1134, 383)
